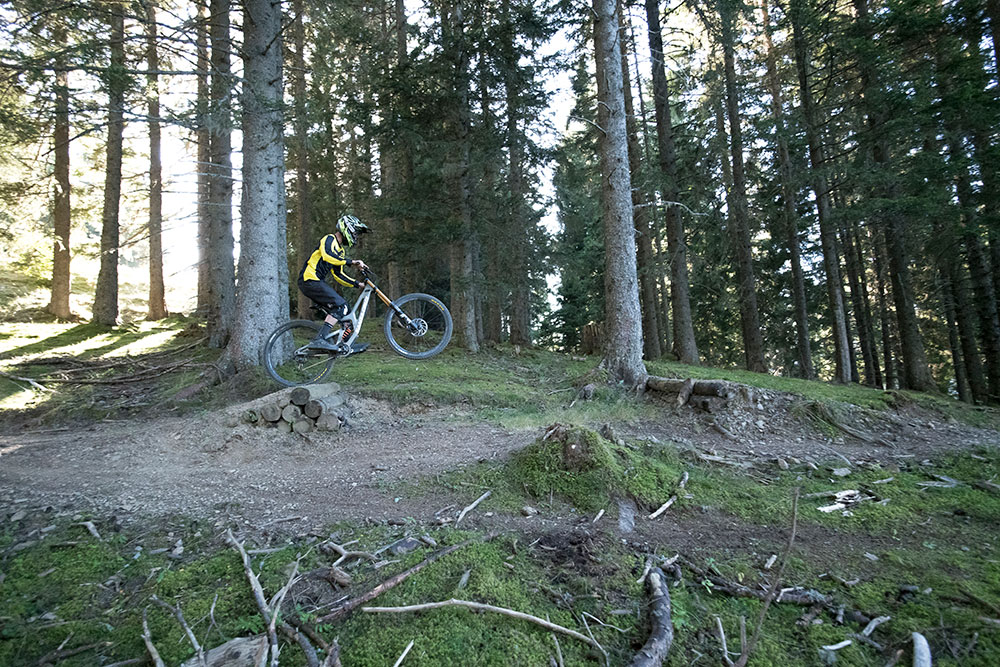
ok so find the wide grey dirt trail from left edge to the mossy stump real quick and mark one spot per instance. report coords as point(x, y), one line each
point(198, 467)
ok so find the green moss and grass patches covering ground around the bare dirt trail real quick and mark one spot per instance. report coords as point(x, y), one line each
point(923, 550)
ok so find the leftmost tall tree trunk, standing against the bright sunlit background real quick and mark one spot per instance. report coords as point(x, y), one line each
point(59, 303)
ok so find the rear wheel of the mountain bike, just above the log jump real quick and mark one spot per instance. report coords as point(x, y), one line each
point(288, 358)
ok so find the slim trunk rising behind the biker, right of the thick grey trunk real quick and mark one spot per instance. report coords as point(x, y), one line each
point(304, 236)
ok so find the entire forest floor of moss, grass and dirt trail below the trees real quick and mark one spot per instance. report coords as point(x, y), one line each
point(160, 474)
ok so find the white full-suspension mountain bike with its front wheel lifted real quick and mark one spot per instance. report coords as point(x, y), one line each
point(417, 326)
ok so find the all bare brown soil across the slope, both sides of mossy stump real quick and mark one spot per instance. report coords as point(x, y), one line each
point(198, 466)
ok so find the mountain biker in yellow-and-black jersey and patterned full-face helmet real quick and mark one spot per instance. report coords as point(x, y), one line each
point(331, 258)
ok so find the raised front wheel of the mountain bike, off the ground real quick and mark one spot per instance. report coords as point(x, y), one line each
point(423, 332)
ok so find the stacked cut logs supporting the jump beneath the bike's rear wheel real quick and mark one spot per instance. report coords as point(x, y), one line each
point(321, 407)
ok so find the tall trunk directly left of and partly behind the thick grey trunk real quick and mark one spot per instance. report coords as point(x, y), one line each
point(222, 302)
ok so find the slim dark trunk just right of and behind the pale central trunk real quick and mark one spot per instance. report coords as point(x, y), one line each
point(641, 212)
